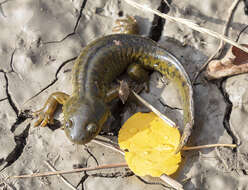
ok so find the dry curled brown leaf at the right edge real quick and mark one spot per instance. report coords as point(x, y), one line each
point(235, 62)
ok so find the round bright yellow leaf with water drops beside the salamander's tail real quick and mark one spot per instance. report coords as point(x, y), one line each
point(151, 144)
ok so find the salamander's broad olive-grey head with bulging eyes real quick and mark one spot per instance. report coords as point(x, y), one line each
point(84, 118)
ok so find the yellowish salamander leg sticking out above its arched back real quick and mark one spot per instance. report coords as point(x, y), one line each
point(126, 26)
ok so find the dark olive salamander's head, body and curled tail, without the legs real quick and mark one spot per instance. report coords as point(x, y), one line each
point(100, 63)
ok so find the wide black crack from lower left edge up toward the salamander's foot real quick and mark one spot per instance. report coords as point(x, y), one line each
point(20, 141)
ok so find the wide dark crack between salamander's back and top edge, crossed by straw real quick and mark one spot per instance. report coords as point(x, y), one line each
point(158, 22)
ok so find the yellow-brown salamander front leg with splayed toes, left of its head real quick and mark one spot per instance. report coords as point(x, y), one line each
point(45, 114)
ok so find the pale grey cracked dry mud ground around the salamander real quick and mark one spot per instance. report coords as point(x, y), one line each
point(39, 40)
